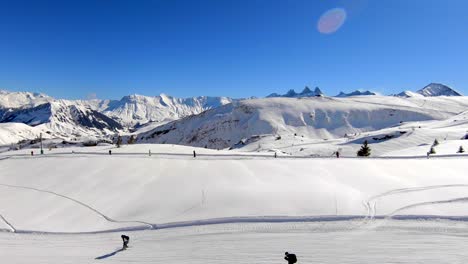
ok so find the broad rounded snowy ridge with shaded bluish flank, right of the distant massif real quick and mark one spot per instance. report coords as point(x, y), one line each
point(313, 118)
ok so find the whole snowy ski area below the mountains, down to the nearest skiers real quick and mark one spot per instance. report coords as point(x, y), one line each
point(71, 205)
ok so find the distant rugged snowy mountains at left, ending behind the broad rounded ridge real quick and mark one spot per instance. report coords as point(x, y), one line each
point(97, 118)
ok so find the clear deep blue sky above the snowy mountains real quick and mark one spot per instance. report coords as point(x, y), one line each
point(237, 48)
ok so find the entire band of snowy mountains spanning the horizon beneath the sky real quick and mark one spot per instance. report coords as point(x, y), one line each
point(219, 122)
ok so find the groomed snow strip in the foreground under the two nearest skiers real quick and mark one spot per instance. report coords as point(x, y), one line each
point(406, 242)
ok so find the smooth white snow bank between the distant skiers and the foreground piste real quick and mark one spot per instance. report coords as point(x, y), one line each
point(94, 192)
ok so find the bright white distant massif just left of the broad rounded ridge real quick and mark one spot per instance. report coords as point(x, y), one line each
point(138, 109)
